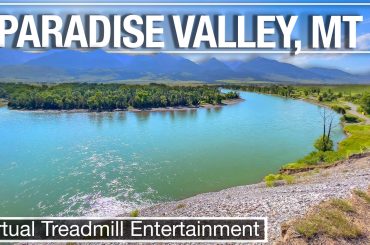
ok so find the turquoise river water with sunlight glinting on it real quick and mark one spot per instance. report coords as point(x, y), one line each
point(107, 163)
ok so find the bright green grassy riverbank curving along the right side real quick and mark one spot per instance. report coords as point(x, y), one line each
point(355, 125)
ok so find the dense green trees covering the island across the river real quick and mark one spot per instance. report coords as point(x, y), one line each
point(108, 97)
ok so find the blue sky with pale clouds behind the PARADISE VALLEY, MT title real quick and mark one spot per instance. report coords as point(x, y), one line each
point(355, 63)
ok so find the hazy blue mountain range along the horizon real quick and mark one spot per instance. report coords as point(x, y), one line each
point(100, 66)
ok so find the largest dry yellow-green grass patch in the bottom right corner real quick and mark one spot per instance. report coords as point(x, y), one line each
point(330, 222)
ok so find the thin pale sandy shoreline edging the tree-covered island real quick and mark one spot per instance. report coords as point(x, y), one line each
point(159, 109)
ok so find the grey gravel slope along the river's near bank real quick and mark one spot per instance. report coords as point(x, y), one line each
point(280, 203)
